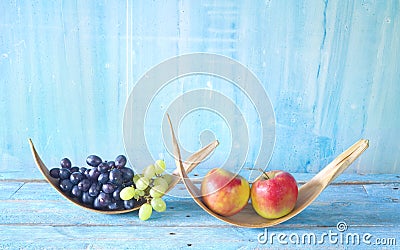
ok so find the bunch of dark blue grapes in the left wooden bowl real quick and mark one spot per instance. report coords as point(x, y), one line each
point(97, 185)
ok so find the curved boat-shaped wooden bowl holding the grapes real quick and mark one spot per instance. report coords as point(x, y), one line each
point(189, 166)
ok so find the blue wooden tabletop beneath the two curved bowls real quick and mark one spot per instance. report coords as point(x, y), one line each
point(356, 211)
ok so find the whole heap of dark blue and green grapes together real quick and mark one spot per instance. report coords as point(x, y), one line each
point(111, 185)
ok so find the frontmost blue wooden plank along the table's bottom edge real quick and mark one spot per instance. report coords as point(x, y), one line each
point(167, 237)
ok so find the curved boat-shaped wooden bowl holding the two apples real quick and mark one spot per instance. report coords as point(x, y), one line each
point(307, 192)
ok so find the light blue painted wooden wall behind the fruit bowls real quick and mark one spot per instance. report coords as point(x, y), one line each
point(330, 68)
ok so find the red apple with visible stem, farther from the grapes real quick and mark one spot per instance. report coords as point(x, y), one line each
point(274, 194)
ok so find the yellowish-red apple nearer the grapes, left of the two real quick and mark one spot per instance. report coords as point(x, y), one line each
point(224, 192)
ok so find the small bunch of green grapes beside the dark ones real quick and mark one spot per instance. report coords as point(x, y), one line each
point(150, 185)
